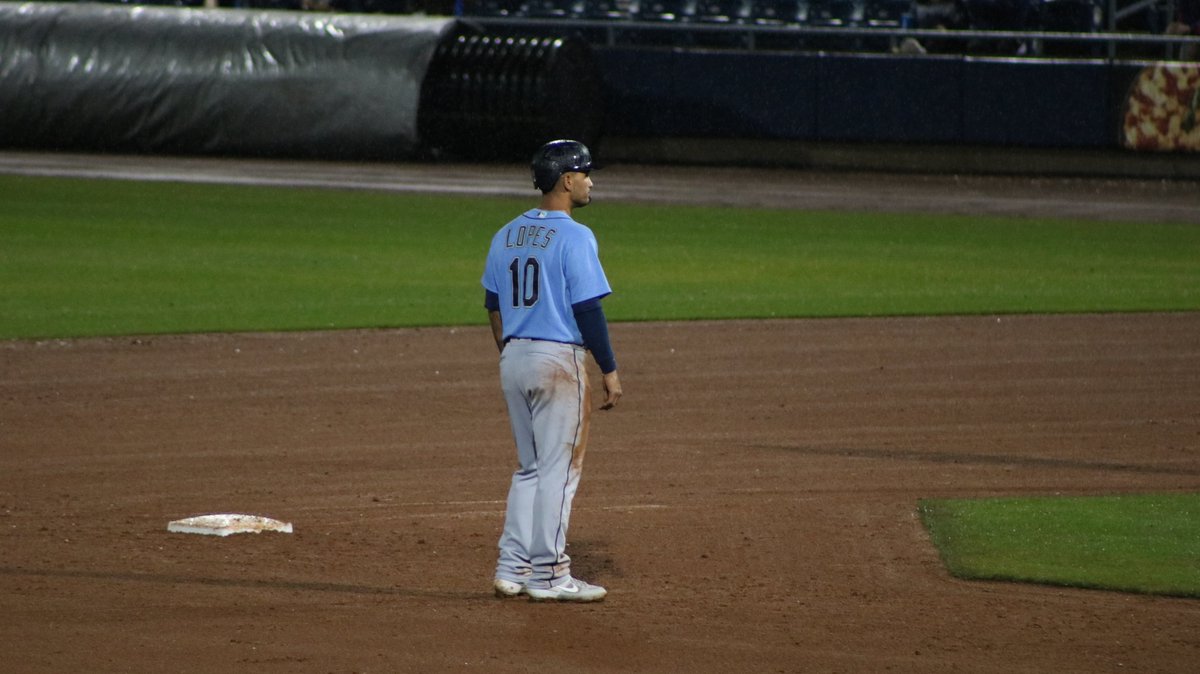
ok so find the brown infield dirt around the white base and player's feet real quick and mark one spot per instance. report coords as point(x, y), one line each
point(751, 505)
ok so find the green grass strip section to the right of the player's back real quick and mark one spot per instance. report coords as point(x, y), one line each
point(730, 263)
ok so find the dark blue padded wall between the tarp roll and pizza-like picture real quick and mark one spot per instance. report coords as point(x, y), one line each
point(863, 98)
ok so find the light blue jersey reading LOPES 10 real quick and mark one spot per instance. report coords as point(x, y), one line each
point(539, 266)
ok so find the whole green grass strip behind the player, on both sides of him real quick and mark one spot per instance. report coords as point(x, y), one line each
point(94, 257)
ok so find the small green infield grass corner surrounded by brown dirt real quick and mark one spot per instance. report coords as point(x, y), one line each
point(1141, 544)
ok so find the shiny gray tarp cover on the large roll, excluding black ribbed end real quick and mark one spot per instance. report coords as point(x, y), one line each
point(157, 80)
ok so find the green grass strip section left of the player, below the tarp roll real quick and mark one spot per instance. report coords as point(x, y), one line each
point(83, 258)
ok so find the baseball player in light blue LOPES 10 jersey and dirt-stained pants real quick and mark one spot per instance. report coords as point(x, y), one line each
point(543, 288)
